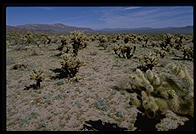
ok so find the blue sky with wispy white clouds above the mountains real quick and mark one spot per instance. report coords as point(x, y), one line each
point(103, 17)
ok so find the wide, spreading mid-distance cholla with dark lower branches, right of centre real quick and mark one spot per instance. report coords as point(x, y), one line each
point(124, 50)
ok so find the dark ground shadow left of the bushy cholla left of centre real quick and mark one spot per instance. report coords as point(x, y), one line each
point(59, 74)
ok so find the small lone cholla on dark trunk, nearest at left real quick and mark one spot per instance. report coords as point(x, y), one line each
point(38, 76)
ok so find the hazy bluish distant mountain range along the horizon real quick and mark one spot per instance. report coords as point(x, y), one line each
point(61, 28)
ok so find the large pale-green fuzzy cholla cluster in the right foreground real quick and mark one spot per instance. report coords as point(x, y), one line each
point(158, 93)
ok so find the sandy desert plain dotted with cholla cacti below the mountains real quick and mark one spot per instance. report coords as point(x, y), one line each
point(149, 74)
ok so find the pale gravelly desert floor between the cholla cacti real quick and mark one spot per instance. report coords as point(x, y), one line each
point(61, 105)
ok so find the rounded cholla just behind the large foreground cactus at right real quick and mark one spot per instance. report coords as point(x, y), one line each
point(148, 61)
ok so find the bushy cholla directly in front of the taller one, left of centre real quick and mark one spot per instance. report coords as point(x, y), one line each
point(71, 65)
